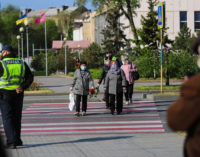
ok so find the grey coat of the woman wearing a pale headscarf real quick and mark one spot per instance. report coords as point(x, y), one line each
point(115, 82)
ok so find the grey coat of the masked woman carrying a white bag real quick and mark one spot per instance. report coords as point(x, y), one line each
point(82, 81)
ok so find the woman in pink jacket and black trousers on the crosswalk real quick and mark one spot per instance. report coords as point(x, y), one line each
point(128, 68)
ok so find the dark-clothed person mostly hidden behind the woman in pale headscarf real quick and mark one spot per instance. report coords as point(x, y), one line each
point(106, 68)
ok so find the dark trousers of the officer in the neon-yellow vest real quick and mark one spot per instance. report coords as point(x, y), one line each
point(11, 109)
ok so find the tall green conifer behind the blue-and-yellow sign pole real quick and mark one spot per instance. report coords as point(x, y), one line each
point(149, 39)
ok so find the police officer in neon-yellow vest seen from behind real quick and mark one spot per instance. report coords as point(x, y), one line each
point(15, 77)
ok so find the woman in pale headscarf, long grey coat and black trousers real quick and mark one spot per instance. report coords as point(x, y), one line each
point(115, 83)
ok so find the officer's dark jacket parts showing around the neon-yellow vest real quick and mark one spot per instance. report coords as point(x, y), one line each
point(28, 78)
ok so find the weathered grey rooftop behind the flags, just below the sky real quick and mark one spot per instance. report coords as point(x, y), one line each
point(49, 12)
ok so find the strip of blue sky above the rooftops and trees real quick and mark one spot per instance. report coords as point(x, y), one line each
point(40, 4)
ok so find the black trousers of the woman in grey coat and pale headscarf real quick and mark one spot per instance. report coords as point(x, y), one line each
point(119, 102)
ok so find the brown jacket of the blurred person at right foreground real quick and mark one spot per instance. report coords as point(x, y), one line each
point(184, 115)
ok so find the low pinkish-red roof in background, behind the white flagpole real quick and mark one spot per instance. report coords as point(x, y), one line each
point(82, 44)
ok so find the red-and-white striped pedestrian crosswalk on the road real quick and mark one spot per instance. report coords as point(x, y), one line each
point(55, 119)
